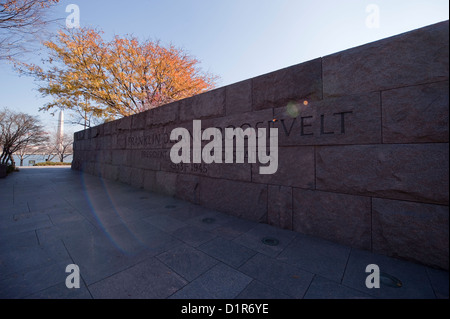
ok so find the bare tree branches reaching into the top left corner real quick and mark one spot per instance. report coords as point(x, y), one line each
point(21, 22)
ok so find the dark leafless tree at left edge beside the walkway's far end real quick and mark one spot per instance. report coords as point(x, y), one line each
point(18, 131)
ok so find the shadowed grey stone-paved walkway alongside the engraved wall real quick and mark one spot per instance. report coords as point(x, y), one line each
point(129, 243)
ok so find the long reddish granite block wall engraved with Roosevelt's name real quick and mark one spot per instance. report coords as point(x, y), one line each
point(363, 147)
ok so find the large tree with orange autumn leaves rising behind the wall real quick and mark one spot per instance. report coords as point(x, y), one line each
point(113, 79)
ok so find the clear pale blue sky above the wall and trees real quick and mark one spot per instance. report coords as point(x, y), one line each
point(235, 39)
